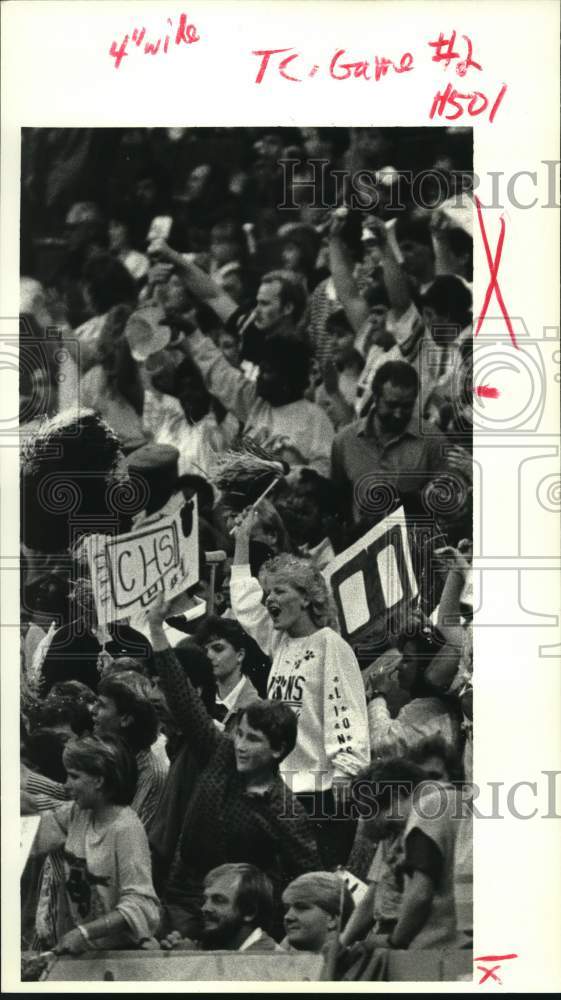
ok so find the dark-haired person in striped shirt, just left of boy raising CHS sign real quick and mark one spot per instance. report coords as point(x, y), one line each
point(123, 709)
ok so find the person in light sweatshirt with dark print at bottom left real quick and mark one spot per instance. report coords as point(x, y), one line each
point(109, 900)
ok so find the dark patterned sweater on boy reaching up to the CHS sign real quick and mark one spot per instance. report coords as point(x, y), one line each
point(224, 823)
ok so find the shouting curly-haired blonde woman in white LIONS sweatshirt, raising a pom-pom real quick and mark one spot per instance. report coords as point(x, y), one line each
point(315, 672)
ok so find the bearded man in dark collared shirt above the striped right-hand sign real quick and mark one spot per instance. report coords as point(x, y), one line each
point(390, 454)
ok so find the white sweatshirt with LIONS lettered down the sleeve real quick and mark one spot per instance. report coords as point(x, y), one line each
point(319, 677)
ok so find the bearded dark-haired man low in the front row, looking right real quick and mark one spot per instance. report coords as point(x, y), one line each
point(236, 913)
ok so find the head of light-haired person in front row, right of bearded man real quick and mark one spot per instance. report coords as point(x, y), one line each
point(318, 905)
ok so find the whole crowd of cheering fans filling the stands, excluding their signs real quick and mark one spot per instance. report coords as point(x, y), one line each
point(228, 772)
